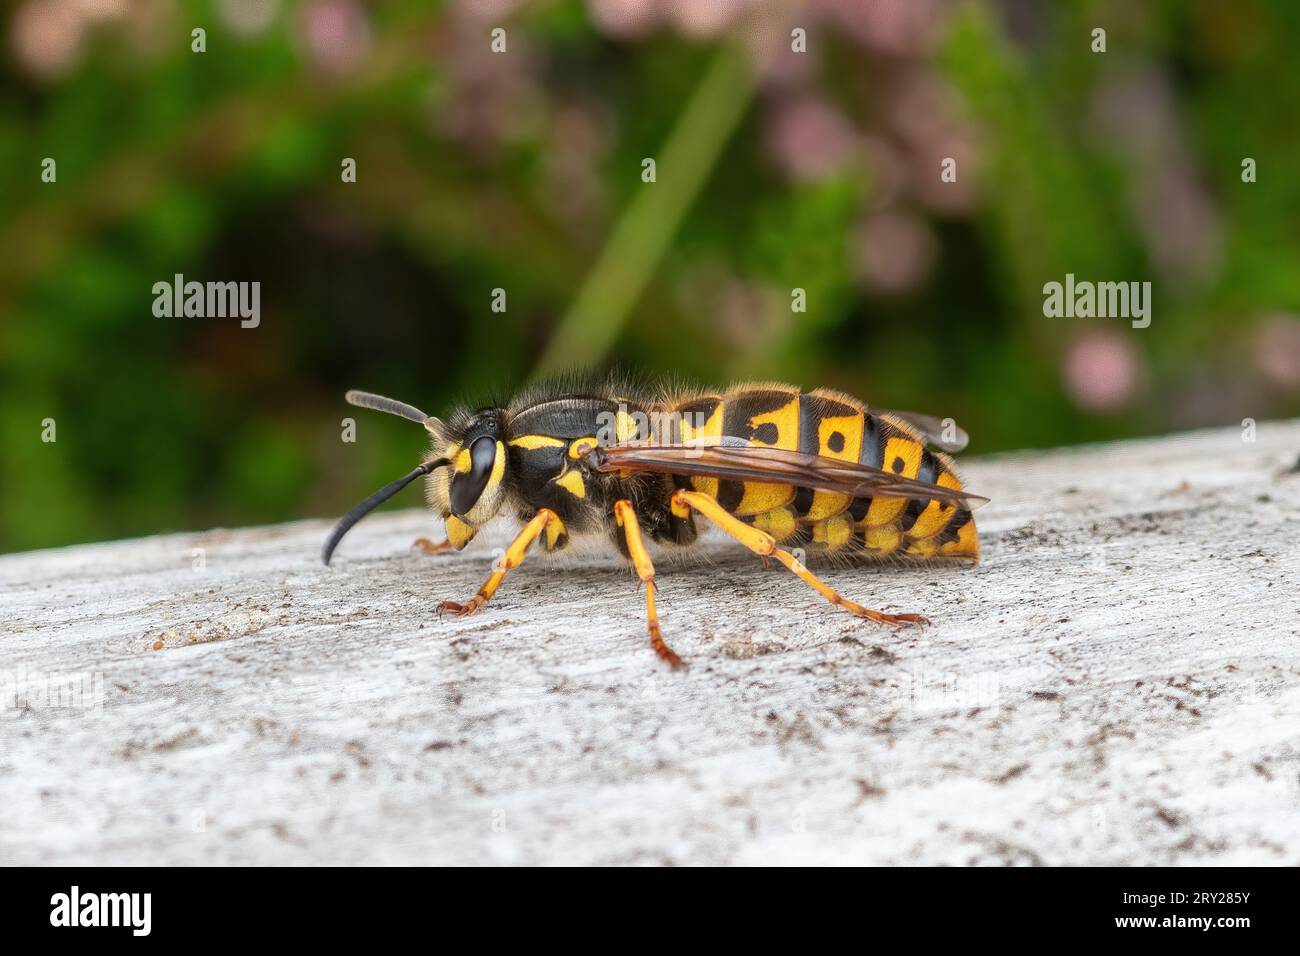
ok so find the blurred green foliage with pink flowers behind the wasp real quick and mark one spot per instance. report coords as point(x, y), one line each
point(522, 171)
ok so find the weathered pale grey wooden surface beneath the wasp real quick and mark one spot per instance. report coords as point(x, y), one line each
point(1117, 684)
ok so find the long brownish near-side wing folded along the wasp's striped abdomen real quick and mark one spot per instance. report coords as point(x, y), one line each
point(773, 466)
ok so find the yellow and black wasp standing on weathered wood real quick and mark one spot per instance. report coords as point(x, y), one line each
point(772, 466)
